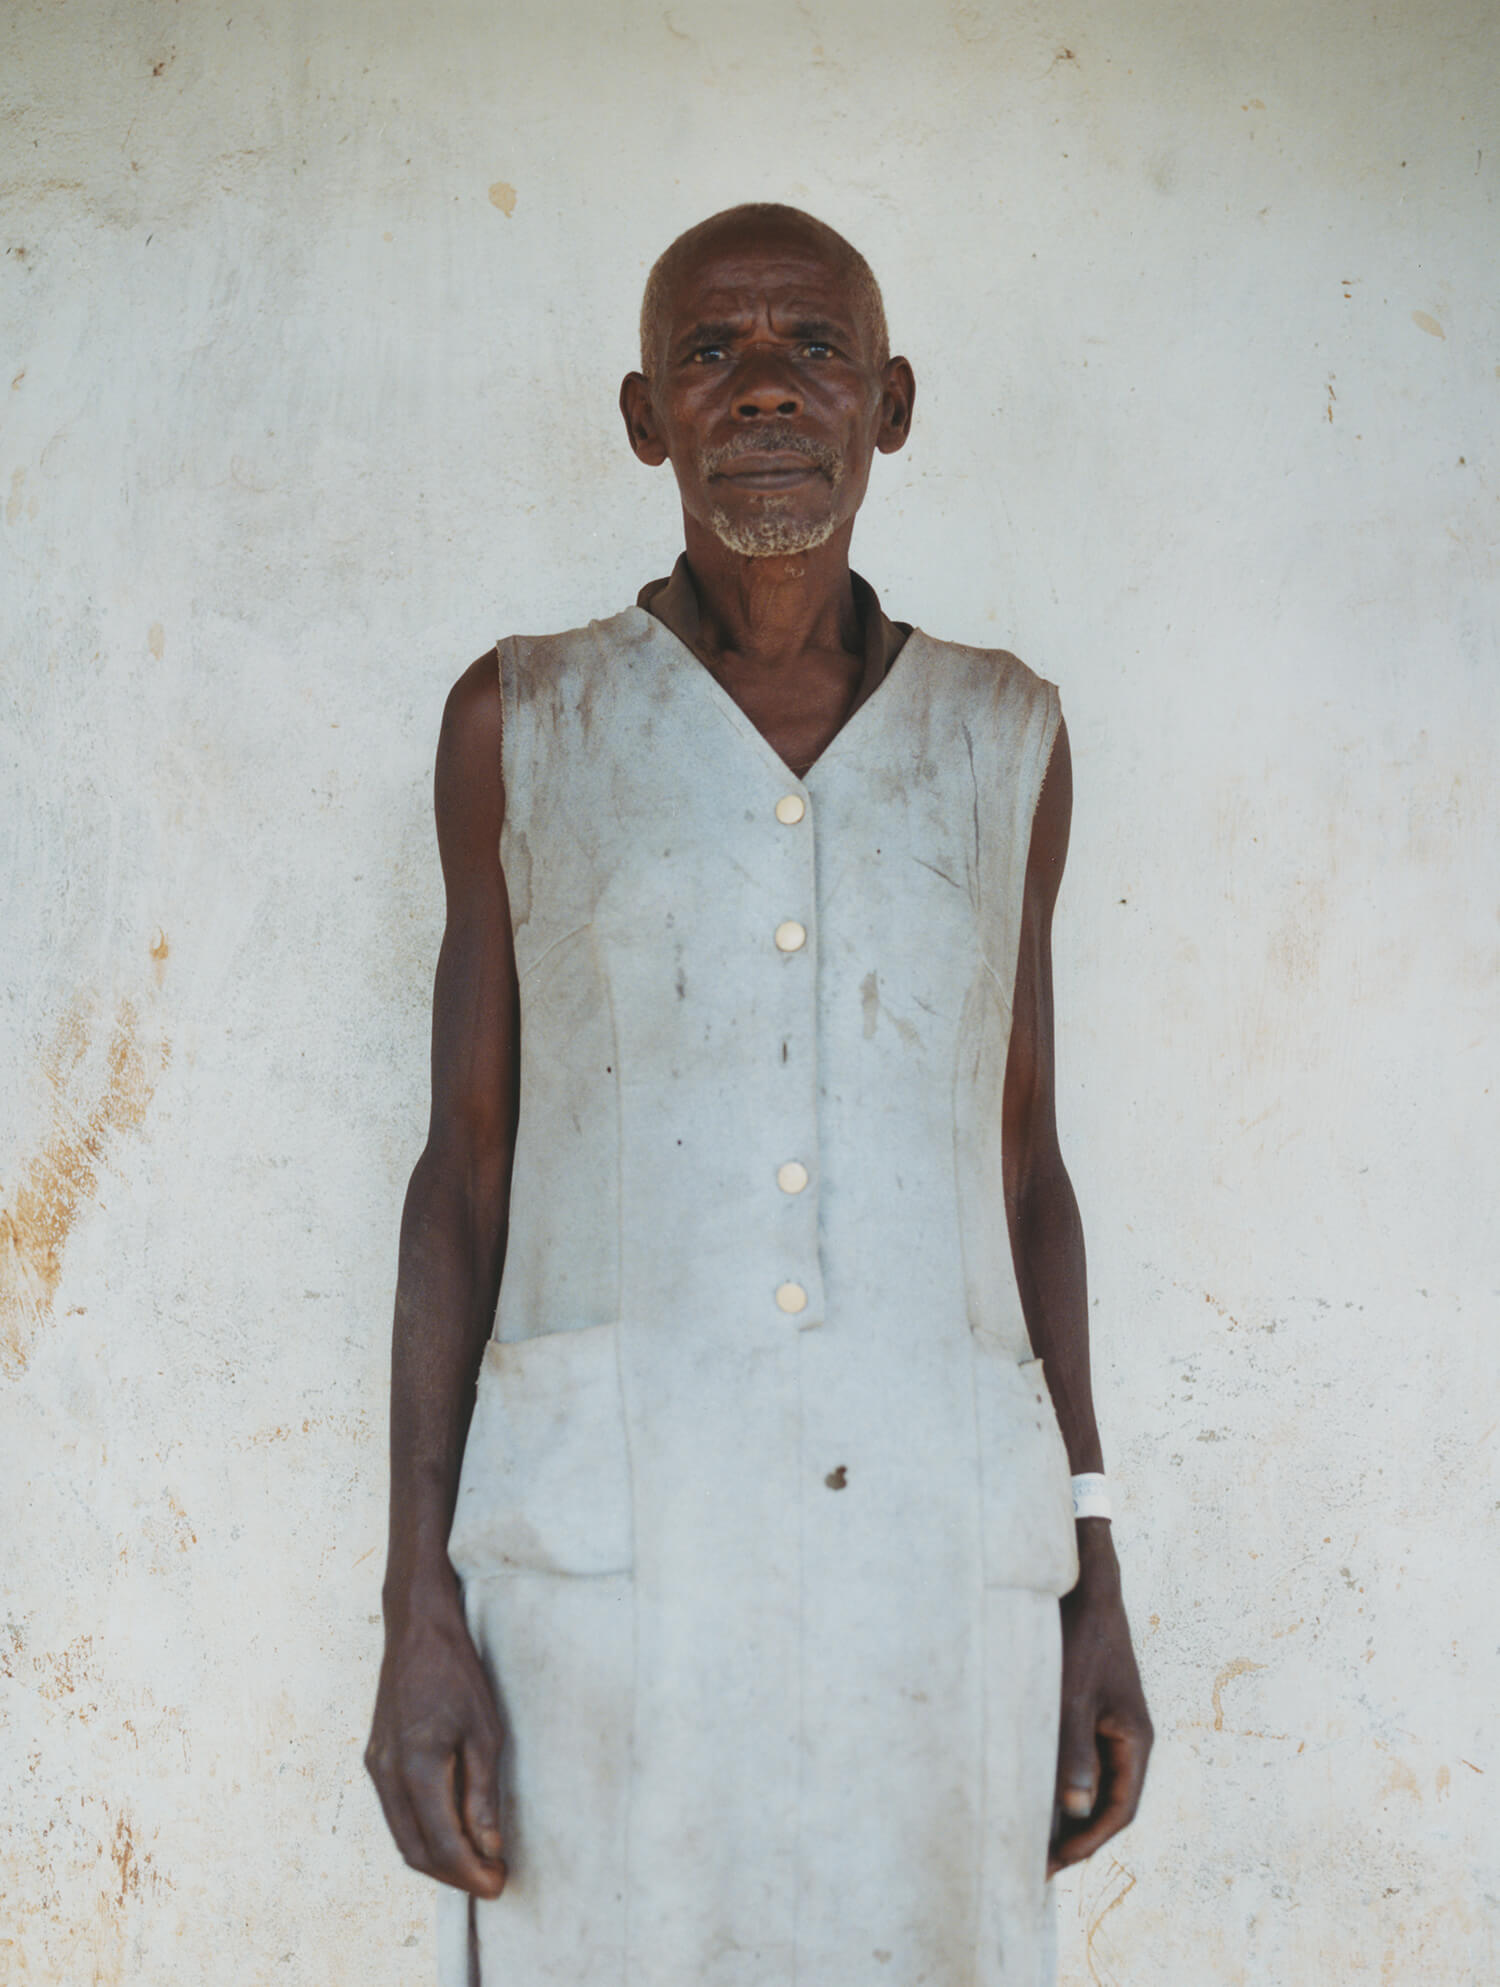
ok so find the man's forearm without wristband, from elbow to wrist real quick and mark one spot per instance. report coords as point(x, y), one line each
point(450, 1273)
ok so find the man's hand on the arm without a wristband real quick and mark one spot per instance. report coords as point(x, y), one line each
point(436, 1744)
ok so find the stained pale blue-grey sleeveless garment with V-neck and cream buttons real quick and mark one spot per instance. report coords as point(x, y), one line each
point(768, 1597)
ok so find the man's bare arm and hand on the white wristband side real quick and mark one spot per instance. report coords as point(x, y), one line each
point(1106, 1734)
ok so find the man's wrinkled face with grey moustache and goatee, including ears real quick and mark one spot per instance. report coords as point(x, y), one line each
point(766, 396)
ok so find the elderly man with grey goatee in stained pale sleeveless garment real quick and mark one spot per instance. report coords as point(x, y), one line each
point(736, 1577)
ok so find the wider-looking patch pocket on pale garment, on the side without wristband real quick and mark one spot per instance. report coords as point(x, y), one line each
point(545, 1481)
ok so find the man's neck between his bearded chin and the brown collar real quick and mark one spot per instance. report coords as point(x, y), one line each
point(768, 611)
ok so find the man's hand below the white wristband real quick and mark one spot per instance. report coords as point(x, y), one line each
point(1106, 1736)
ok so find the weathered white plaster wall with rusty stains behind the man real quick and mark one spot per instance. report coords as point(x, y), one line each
point(315, 319)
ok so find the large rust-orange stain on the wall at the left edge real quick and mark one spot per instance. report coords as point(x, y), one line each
point(90, 1108)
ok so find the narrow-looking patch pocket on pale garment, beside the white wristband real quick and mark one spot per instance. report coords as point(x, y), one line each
point(1028, 1487)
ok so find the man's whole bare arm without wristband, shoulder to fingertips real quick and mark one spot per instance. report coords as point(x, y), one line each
point(436, 1736)
